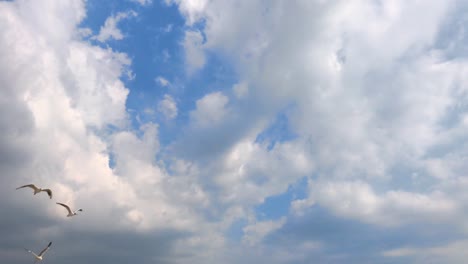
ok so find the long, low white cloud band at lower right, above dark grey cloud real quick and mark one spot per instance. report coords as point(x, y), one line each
point(357, 200)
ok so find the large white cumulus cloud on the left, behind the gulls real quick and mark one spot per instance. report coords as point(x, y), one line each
point(65, 126)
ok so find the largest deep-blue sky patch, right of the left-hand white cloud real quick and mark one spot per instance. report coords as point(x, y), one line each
point(153, 41)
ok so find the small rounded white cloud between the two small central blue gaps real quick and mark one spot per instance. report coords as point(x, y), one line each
point(251, 172)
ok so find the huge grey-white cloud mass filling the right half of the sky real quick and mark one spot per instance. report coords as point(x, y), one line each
point(367, 111)
